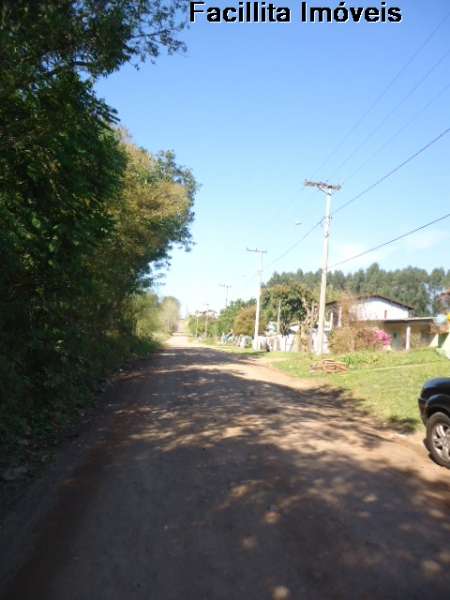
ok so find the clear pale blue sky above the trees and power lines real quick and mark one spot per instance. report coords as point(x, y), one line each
point(254, 109)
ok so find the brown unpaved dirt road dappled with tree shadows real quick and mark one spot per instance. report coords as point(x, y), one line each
point(209, 477)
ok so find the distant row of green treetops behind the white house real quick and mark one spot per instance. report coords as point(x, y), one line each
point(411, 285)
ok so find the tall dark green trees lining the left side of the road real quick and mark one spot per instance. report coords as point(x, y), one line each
point(83, 212)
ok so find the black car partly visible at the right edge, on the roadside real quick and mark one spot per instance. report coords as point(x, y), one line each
point(434, 405)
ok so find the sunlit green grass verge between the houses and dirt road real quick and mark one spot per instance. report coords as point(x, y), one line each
point(387, 384)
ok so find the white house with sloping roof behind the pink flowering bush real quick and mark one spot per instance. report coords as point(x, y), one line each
point(384, 313)
